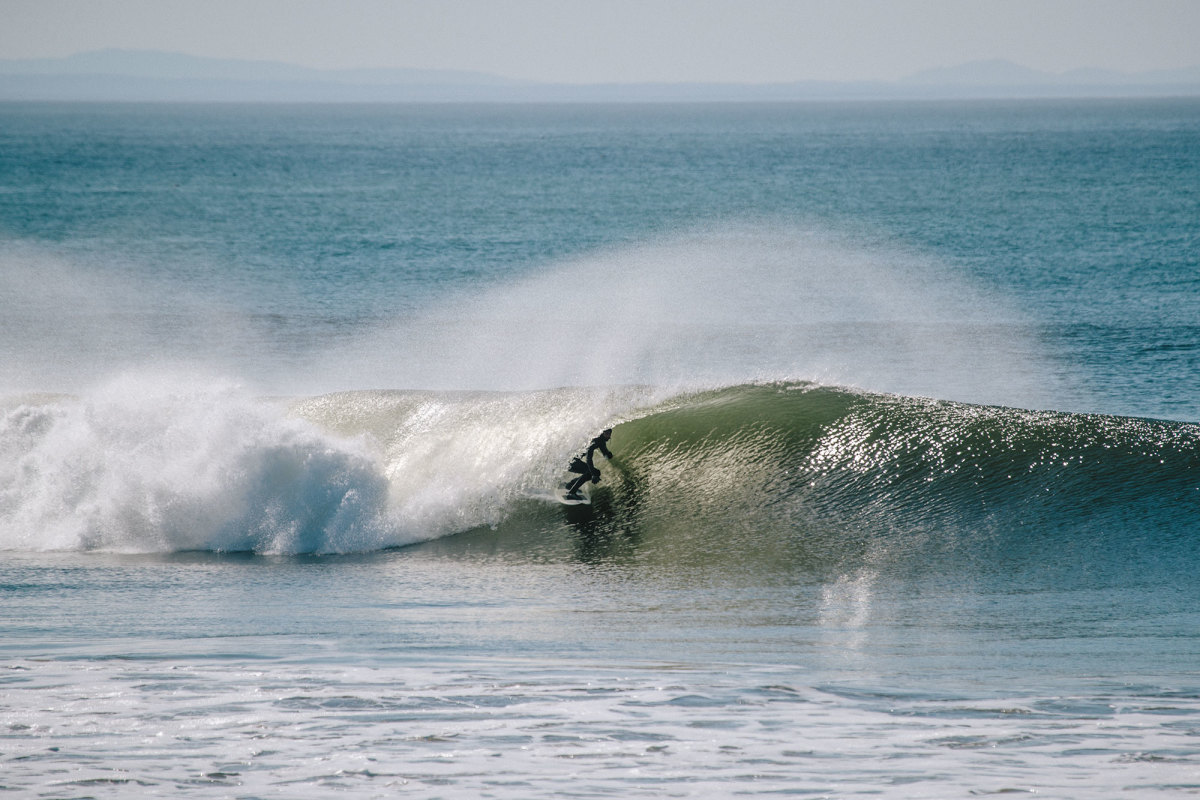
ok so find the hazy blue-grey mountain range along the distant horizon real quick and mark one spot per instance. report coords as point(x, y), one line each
point(147, 76)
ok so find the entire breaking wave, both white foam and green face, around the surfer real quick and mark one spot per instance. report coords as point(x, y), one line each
point(793, 476)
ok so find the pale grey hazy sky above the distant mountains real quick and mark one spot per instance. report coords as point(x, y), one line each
point(627, 41)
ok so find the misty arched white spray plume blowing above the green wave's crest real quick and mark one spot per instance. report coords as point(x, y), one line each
point(721, 308)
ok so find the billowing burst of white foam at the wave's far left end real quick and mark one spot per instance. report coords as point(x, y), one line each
point(171, 465)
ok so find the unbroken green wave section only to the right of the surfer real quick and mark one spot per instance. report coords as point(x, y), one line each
point(869, 467)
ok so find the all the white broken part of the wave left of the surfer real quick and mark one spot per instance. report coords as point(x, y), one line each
point(167, 464)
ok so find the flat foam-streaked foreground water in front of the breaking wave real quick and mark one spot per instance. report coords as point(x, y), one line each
point(471, 670)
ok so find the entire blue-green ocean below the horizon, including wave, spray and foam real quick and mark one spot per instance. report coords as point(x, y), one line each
point(905, 477)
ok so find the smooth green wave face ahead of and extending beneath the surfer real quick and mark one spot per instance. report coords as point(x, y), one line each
point(797, 478)
